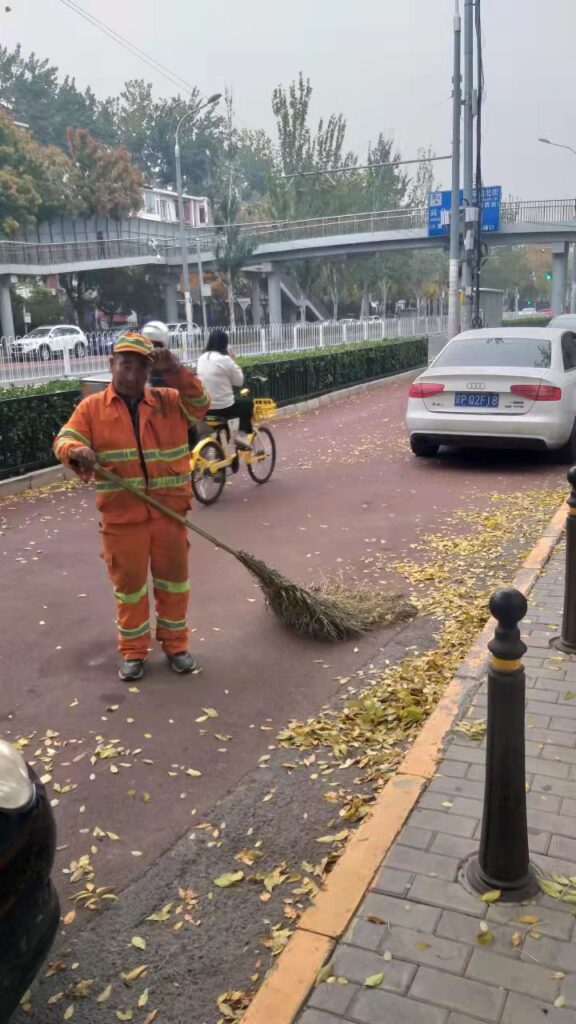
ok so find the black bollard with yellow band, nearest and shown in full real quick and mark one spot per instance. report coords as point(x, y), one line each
point(504, 861)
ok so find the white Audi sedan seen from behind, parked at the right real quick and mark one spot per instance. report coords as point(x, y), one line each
point(500, 388)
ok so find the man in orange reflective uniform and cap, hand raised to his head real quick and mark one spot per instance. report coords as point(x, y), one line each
point(141, 434)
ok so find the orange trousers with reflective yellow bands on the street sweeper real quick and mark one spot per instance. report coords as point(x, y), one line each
point(130, 550)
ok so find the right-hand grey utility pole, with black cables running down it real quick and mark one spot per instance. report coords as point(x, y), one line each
point(470, 221)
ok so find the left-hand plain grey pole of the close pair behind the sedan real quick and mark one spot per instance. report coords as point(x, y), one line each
point(455, 264)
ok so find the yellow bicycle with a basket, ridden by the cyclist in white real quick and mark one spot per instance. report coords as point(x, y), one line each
point(216, 455)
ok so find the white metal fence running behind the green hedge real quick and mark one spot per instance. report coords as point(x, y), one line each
point(47, 363)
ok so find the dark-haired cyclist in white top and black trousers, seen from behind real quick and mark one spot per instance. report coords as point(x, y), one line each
point(220, 373)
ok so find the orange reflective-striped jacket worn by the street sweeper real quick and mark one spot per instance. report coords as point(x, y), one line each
point(156, 459)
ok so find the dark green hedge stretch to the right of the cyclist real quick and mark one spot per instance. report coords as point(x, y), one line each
point(297, 376)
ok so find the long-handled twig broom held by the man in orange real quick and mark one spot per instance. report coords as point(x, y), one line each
point(341, 617)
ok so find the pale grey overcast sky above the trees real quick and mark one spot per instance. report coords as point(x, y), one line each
point(387, 65)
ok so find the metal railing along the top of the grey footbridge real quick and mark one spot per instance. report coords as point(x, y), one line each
point(546, 212)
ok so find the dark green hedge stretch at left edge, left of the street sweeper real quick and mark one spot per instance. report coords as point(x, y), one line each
point(28, 428)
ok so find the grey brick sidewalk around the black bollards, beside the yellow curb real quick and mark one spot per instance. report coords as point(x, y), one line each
point(428, 933)
